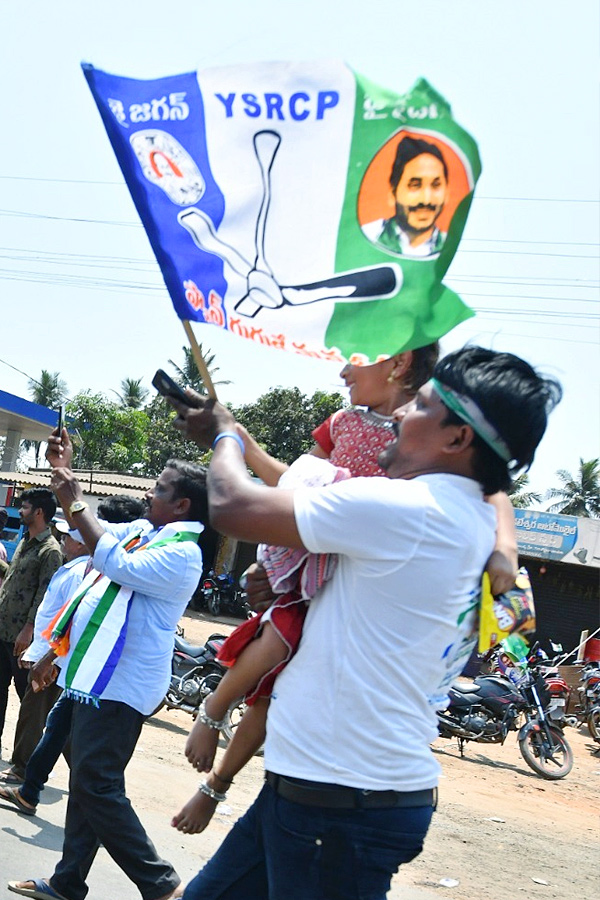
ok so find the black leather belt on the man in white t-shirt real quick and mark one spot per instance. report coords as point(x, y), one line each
point(336, 796)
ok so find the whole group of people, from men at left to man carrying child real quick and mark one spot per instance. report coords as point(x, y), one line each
point(379, 535)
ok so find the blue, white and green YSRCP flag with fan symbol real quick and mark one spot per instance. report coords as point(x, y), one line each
point(298, 205)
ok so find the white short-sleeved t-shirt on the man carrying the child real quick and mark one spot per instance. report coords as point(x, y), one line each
point(356, 705)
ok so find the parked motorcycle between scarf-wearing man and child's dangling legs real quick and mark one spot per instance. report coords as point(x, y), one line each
point(195, 673)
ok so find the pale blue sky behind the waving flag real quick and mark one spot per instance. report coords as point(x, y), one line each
point(82, 295)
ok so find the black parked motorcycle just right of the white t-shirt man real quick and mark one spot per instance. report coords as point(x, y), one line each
point(487, 709)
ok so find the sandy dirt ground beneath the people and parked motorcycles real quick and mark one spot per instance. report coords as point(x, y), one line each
point(500, 830)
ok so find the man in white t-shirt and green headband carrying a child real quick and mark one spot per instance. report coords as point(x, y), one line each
point(351, 780)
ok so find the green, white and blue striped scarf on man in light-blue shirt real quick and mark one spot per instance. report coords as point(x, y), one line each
point(92, 661)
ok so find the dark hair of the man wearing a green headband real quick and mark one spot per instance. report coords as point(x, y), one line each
point(512, 397)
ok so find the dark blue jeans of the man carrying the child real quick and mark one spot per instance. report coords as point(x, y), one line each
point(286, 851)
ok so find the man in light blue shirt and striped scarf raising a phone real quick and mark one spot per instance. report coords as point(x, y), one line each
point(144, 575)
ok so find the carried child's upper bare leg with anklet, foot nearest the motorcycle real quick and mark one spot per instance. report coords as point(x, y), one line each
point(259, 657)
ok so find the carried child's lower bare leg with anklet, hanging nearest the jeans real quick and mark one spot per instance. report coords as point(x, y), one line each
point(248, 737)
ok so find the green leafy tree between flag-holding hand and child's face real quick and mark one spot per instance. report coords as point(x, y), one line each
point(282, 419)
